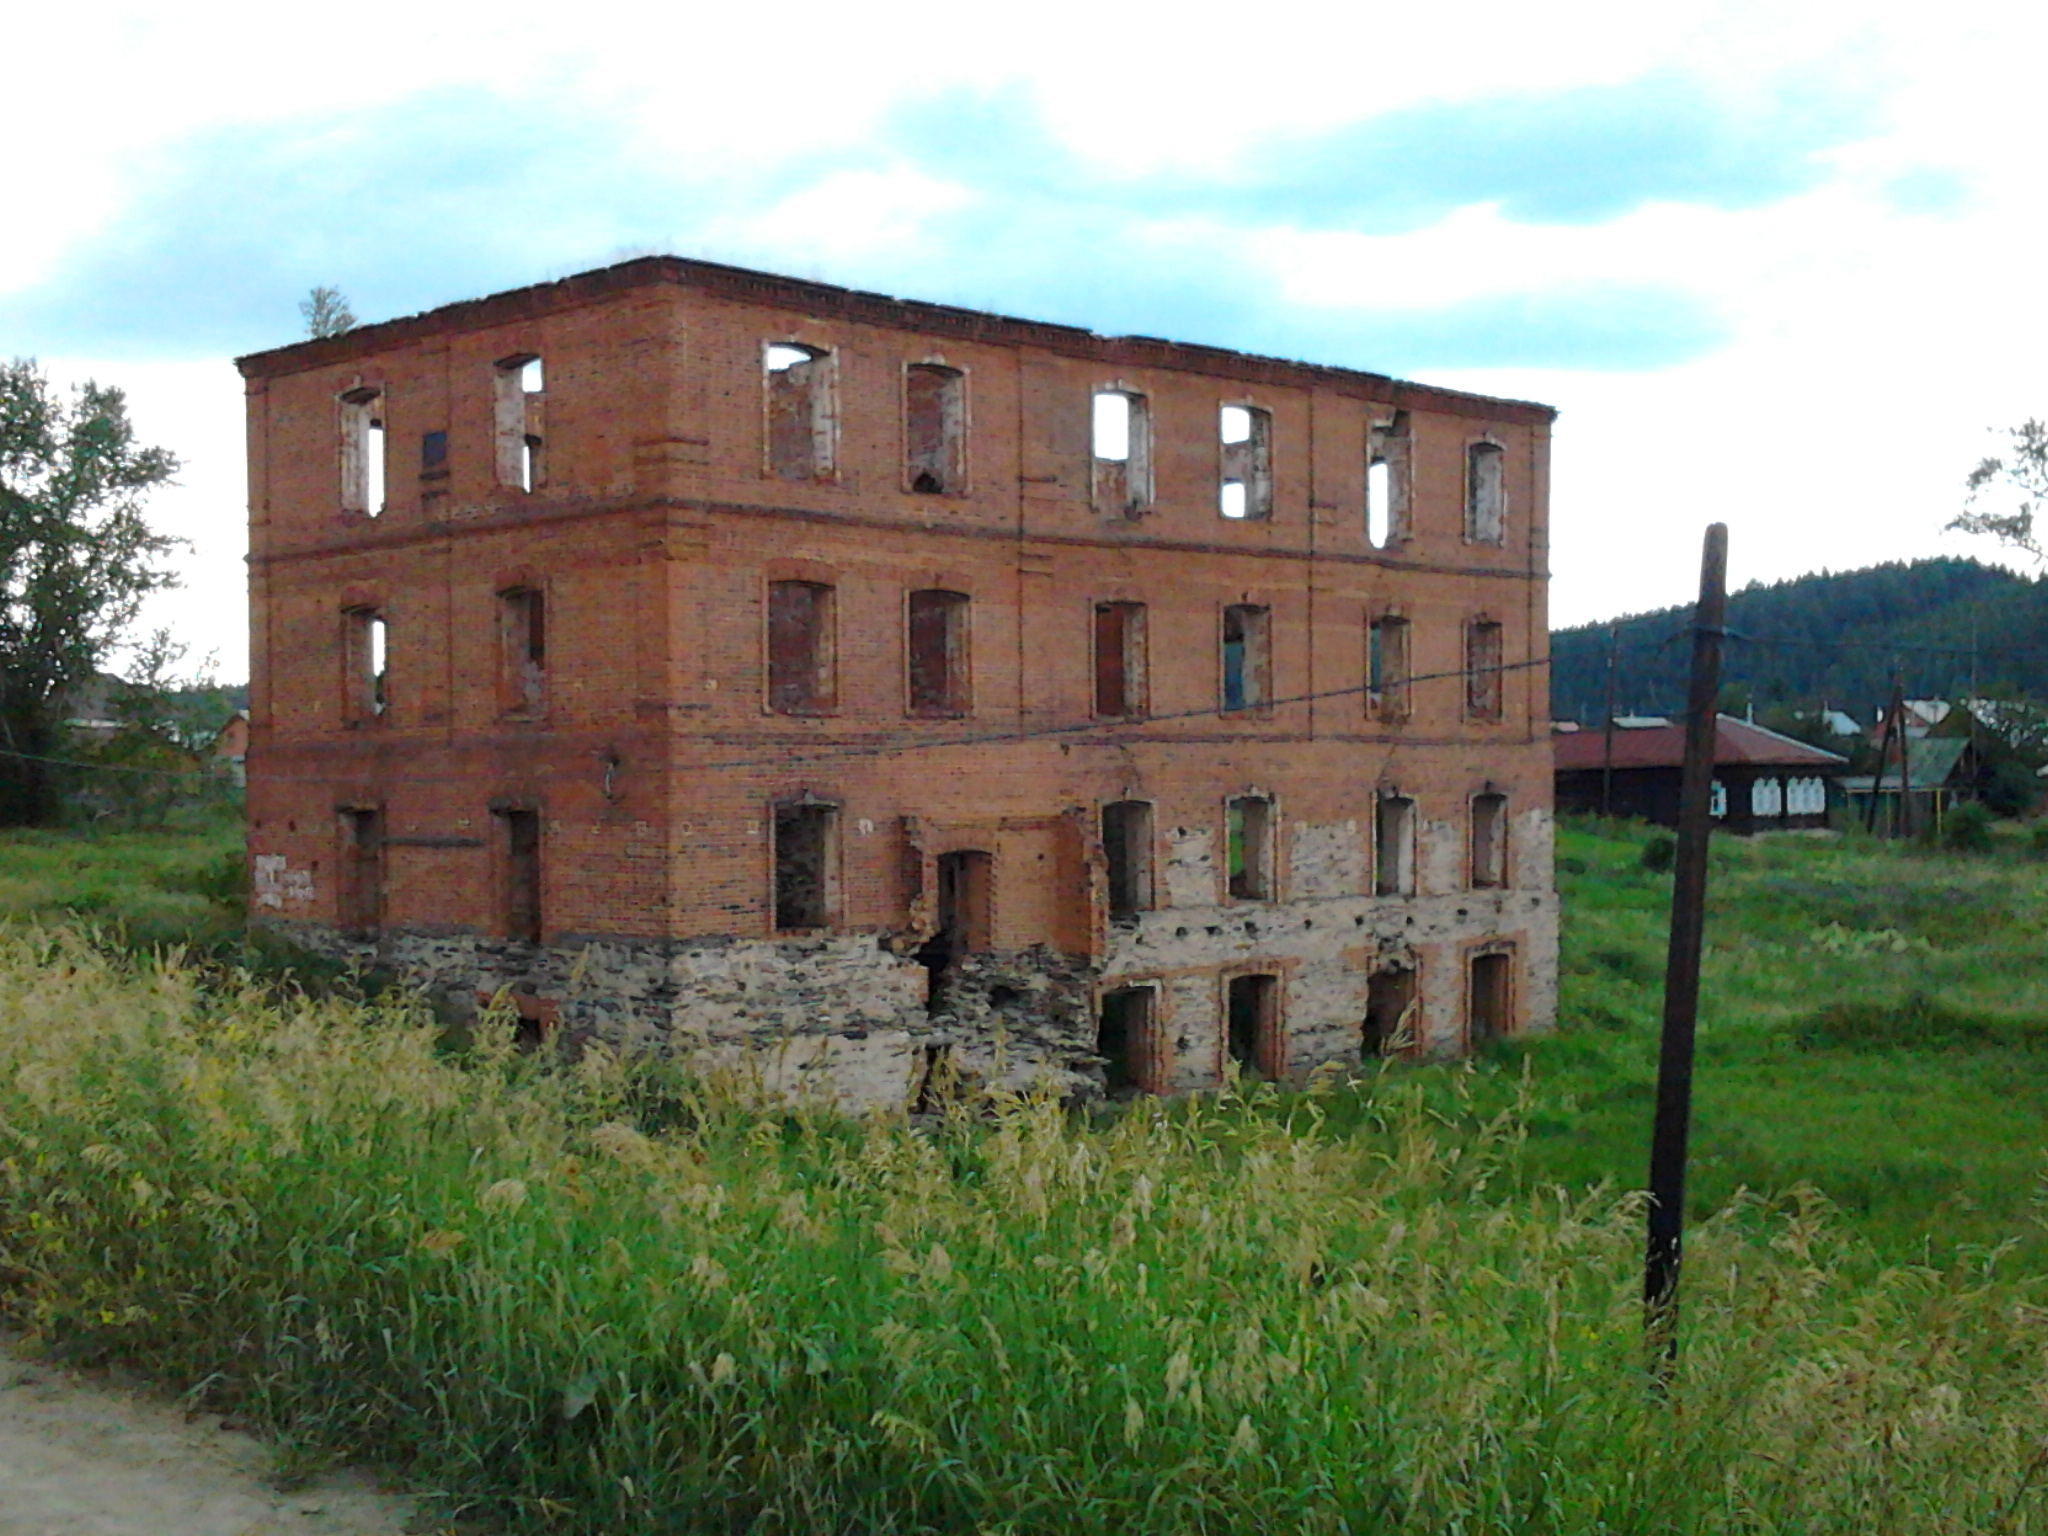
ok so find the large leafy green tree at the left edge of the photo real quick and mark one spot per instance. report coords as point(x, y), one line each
point(77, 560)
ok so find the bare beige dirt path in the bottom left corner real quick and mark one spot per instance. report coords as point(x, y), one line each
point(81, 1457)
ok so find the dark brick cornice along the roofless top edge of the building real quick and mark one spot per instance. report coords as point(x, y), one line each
point(826, 300)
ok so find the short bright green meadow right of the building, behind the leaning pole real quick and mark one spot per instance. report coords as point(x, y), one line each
point(1875, 1023)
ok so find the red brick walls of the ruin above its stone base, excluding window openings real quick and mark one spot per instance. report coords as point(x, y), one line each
point(658, 534)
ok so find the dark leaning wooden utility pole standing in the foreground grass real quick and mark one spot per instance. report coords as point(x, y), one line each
point(1682, 964)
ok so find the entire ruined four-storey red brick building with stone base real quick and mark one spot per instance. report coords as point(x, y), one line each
point(769, 671)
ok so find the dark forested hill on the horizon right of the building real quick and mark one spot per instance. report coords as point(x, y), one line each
point(1826, 638)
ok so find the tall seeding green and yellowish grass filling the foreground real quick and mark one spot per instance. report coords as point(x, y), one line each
point(605, 1299)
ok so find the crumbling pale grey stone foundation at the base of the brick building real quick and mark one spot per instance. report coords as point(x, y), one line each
point(851, 1021)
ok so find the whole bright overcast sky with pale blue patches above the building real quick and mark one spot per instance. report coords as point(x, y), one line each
point(1777, 263)
